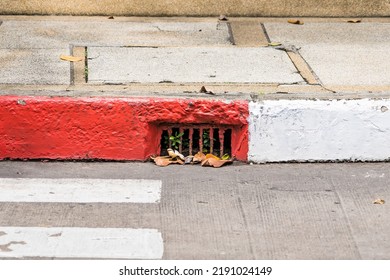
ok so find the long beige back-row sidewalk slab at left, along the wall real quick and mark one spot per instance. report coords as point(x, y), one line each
point(102, 31)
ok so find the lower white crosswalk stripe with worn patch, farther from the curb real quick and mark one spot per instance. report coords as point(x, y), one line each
point(101, 243)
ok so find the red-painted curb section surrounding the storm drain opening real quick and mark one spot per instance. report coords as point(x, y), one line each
point(107, 128)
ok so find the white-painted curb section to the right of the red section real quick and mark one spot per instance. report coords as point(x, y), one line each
point(318, 130)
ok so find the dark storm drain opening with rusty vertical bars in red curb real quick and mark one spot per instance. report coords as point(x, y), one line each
point(191, 139)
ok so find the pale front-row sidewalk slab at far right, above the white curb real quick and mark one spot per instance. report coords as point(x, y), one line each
point(349, 64)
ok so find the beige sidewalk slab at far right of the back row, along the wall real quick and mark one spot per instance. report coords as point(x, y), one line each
point(366, 33)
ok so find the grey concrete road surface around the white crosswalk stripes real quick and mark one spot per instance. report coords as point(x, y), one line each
point(278, 211)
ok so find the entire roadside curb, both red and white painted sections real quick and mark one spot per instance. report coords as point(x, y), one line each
point(129, 128)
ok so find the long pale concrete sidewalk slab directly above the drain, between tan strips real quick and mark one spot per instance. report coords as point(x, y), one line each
point(186, 65)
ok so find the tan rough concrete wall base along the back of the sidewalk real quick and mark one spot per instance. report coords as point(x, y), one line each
point(330, 8)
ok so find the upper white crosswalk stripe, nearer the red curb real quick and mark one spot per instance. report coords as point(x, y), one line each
point(79, 190)
